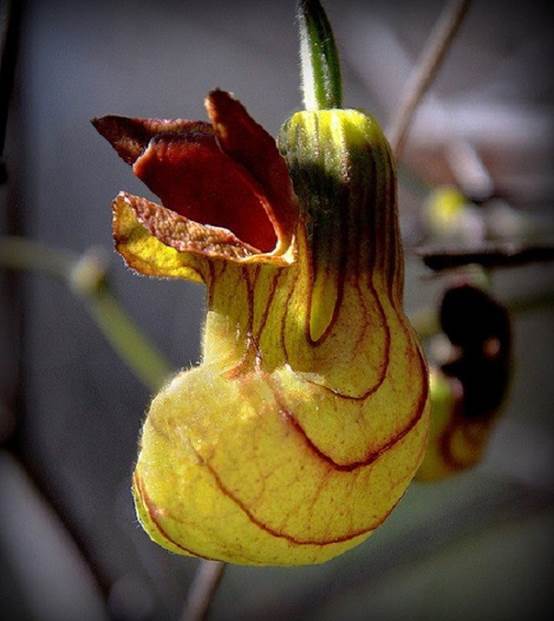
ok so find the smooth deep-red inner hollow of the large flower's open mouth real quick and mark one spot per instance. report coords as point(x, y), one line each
point(194, 178)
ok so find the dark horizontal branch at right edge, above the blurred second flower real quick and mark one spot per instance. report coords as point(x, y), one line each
point(502, 255)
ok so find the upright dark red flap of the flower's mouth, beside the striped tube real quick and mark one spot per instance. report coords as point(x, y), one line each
point(250, 145)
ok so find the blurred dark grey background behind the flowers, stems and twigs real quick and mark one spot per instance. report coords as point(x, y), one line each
point(474, 546)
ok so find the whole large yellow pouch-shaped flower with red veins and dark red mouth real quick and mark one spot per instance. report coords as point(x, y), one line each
point(307, 418)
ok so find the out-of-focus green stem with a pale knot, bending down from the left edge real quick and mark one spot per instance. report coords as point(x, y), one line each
point(125, 337)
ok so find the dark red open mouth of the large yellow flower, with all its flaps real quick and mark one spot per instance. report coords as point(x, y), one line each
point(224, 187)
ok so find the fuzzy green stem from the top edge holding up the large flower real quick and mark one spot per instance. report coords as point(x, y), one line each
point(321, 80)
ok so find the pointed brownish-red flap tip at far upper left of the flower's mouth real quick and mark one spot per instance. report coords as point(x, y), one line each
point(130, 137)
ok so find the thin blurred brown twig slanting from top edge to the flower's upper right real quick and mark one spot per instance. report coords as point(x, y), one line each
point(426, 70)
